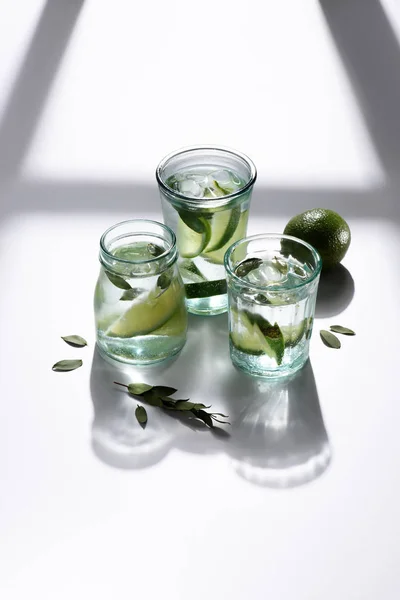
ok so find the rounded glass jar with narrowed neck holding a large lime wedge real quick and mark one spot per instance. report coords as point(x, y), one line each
point(139, 301)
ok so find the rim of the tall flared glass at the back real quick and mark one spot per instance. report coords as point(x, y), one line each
point(210, 202)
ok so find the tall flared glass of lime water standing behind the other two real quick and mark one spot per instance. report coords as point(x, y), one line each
point(205, 196)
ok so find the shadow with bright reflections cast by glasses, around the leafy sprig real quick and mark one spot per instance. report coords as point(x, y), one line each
point(277, 436)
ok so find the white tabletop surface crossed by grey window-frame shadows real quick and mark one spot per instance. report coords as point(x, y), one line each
point(301, 501)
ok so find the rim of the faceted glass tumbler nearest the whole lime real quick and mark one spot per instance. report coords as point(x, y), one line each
point(273, 288)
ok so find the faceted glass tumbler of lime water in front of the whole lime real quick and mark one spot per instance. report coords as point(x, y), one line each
point(272, 287)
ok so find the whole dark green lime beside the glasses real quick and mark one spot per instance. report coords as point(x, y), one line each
point(324, 229)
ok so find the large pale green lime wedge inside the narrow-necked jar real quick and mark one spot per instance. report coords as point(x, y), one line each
point(152, 313)
